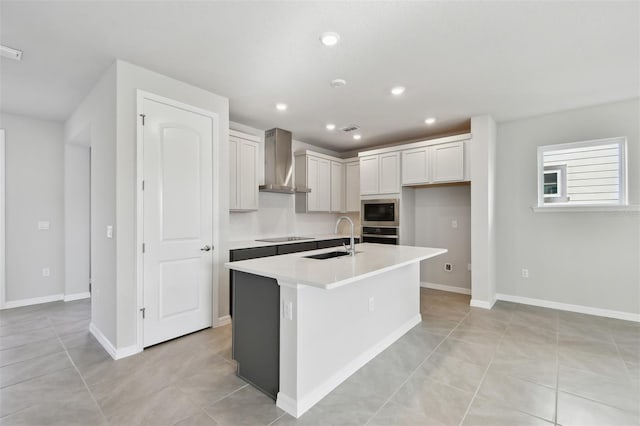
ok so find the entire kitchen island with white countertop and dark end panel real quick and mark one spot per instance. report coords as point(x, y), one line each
point(302, 326)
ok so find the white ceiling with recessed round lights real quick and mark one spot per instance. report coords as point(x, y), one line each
point(456, 59)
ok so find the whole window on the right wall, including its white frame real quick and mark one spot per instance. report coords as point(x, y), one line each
point(583, 173)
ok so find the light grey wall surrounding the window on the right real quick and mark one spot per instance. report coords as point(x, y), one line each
point(588, 259)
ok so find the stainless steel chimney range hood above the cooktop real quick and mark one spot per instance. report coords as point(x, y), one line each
point(278, 163)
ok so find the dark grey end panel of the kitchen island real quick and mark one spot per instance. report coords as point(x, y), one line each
point(256, 330)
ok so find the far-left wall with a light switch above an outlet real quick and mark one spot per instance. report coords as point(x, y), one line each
point(34, 192)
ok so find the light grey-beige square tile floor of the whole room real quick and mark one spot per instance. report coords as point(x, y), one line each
point(513, 365)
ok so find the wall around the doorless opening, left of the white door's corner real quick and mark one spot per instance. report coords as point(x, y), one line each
point(94, 122)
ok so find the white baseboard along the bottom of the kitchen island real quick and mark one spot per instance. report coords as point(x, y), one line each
point(297, 408)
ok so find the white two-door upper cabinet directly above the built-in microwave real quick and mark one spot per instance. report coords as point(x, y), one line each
point(380, 174)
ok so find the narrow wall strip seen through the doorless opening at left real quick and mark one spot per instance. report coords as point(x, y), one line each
point(77, 214)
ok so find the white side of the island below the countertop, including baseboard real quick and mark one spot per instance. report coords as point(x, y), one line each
point(335, 332)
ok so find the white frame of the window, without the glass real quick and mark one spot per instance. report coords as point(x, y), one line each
point(621, 141)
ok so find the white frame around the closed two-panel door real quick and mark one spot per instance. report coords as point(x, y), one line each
point(215, 149)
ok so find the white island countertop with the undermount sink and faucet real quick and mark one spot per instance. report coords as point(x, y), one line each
point(370, 259)
